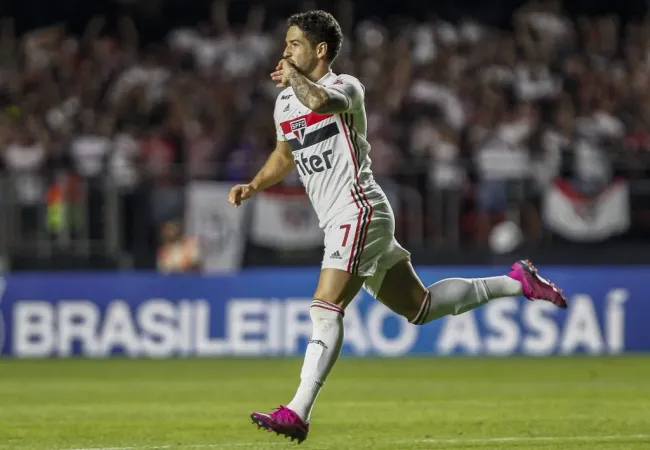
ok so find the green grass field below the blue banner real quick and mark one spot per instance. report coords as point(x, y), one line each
point(546, 403)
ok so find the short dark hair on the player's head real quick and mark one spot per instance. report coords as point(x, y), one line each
point(320, 26)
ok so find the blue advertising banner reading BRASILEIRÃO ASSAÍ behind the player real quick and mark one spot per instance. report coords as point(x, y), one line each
point(266, 313)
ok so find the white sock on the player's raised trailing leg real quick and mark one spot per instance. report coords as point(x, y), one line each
point(458, 295)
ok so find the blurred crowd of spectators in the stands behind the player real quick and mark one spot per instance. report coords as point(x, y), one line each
point(458, 109)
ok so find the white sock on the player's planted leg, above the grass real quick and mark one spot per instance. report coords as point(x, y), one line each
point(322, 352)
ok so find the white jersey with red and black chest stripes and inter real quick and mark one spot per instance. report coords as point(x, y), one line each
point(331, 151)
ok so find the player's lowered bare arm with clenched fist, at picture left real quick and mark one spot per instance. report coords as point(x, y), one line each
point(279, 164)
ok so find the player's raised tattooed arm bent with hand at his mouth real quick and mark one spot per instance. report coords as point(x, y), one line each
point(345, 96)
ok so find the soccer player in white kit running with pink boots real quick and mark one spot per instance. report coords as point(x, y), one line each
point(321, 130)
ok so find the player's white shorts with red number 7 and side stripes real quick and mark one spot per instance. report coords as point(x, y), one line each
point(364, 244)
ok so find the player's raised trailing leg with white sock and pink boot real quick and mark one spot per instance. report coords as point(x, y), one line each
point(402, 290)
